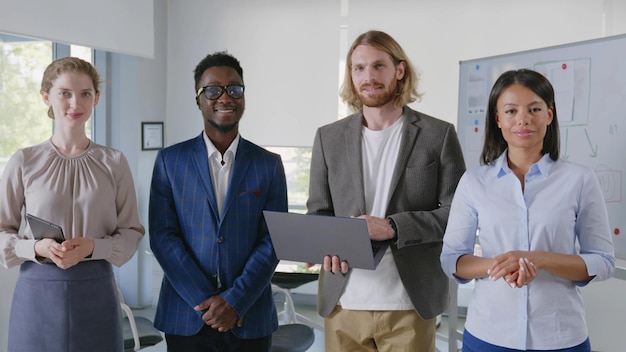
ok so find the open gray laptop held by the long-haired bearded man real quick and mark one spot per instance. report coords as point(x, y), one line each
point(308, 238)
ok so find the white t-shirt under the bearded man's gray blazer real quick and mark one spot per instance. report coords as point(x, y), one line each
point(379, 289)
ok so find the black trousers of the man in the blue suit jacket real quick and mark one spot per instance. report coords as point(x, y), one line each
point(211, 340)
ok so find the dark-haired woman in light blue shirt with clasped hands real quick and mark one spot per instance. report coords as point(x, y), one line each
point(542, 224)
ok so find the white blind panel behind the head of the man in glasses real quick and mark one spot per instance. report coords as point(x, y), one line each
point(289, 54)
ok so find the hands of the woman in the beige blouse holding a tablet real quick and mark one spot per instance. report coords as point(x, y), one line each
point(66, 254)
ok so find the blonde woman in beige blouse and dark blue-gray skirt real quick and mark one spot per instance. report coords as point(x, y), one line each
point(65, 297)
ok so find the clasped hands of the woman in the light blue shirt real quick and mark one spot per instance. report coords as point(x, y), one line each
point(514, 267)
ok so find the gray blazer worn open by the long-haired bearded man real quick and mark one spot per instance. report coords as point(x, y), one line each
point(429, 166)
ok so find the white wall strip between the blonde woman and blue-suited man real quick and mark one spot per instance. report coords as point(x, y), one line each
point(137, 94)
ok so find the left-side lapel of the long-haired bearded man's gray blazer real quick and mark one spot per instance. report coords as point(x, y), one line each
point(354, 156)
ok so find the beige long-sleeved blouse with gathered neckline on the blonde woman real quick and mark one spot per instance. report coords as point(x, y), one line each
point(90, 195)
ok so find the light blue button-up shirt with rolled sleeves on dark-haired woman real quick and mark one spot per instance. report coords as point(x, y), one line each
point(561, 209)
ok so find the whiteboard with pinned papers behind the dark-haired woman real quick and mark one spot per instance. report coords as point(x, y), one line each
point(589, 80)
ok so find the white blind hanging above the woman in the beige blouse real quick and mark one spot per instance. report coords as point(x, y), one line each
point(114, 25)
